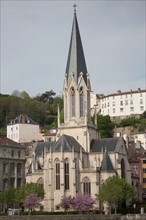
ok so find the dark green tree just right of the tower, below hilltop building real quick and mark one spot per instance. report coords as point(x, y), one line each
point(105, 126)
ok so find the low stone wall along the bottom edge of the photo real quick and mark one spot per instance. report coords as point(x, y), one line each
point(77, 217)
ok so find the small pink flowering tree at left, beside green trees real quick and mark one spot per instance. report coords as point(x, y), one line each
point(31, 202)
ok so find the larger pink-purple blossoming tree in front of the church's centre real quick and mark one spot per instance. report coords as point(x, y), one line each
point(83, 203)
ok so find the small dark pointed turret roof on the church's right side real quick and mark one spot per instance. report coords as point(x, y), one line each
point(106, 164)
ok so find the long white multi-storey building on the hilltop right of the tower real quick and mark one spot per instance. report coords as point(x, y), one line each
point(123, 104)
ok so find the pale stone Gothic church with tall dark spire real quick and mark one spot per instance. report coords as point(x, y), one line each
point(78, 161)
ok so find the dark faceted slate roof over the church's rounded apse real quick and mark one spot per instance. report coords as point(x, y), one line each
point(67, 143)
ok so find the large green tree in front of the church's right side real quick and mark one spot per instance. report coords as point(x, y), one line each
point(114, 190)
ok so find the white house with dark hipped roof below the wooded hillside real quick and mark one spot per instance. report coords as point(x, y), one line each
point(22, 129)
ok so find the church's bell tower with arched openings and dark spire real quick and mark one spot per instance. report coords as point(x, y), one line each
point(76, 93)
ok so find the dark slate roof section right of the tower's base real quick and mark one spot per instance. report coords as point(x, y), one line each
point(98, 145)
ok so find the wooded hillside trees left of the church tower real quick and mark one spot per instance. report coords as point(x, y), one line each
point(42, 108)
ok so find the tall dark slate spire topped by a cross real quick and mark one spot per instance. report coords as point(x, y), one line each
point(76, 60)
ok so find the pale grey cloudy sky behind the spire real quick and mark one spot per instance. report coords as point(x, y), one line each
point(35, 37)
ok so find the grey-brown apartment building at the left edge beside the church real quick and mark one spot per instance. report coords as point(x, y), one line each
point(12, 163)
